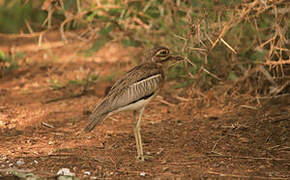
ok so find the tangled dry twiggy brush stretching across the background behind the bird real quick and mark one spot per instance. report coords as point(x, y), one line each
point(213, 39)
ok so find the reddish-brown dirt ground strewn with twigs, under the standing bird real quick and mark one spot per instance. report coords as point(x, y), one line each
point(41, 134)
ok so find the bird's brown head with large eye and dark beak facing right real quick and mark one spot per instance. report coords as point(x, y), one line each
point(159, 54)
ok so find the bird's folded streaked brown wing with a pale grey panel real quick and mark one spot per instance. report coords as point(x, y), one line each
point(139, 83)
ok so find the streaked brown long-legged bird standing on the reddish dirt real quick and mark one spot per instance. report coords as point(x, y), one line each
point(133, 91)
